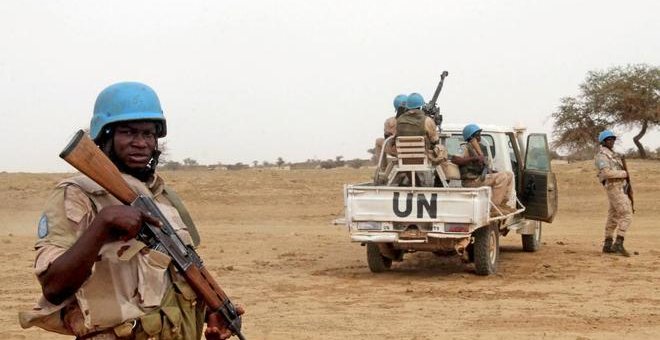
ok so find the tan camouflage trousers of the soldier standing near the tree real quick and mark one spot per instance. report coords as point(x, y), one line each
point(619, 215)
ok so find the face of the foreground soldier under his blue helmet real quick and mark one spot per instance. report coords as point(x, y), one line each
point(134, 143)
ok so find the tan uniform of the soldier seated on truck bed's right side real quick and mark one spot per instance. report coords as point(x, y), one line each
point(500, 182)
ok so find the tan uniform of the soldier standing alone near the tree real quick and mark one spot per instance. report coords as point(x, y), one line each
point(613, 178)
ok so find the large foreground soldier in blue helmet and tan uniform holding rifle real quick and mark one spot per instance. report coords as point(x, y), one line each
point(98, 281)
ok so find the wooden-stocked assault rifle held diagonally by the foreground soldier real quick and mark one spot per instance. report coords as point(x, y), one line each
point(85, 156)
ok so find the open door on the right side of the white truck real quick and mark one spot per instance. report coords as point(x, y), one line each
point(539, 182)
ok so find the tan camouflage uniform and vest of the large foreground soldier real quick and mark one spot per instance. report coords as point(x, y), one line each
point(133, 292)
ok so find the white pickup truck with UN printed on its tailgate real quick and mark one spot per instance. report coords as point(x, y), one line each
point(413, 205)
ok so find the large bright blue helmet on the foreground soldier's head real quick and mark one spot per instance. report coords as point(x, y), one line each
point(125, 102)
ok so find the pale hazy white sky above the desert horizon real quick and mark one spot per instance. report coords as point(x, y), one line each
point(256, 80)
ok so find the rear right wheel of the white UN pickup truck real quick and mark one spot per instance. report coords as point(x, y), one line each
point(486, 250)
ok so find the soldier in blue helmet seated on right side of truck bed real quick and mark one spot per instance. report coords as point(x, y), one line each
point(475, 171)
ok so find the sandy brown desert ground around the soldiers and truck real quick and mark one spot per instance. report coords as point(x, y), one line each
point(268, 237)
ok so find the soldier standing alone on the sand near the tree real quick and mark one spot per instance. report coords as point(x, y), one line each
point(614, 178)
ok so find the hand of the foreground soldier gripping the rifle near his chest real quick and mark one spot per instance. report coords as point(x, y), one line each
point(124, 222)
